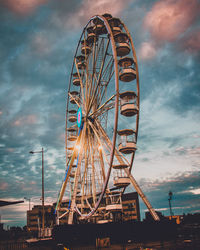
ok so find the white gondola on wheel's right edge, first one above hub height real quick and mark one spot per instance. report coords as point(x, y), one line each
point(128, 106)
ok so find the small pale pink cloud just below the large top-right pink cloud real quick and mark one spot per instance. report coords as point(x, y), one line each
point(147, 51)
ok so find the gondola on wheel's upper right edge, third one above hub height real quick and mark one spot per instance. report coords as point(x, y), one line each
point(122, 44)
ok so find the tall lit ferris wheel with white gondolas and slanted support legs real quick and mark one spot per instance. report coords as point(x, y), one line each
point(102, 119)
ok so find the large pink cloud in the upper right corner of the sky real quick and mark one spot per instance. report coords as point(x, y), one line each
point(168, 19)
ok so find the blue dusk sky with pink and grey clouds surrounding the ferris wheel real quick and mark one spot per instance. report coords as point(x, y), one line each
point(37, 45)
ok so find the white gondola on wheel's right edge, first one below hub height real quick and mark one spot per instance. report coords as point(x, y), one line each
point(127, 143)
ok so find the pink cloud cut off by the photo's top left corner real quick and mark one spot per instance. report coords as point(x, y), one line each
point(22, 7)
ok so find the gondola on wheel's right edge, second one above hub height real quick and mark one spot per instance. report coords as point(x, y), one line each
point(127, 72)
